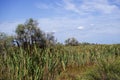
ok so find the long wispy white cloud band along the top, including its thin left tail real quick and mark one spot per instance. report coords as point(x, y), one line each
point(85, 7)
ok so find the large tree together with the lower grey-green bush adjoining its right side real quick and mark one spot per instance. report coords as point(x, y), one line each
point(30, 34)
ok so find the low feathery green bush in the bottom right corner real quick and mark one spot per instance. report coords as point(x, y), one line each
point(105, 69)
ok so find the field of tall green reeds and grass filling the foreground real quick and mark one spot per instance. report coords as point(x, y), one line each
point(84, 62)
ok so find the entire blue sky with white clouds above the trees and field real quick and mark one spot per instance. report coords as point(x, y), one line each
point(93, 21)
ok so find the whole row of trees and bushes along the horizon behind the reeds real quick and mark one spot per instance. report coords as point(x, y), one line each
point(29, 34)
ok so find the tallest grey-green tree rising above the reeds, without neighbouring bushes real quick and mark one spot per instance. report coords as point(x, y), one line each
point(29, 34)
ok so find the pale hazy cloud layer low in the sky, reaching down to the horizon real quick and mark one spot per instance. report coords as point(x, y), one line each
point(66, 27)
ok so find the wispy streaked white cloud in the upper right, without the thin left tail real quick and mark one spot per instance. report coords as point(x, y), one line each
point(92, 6)
